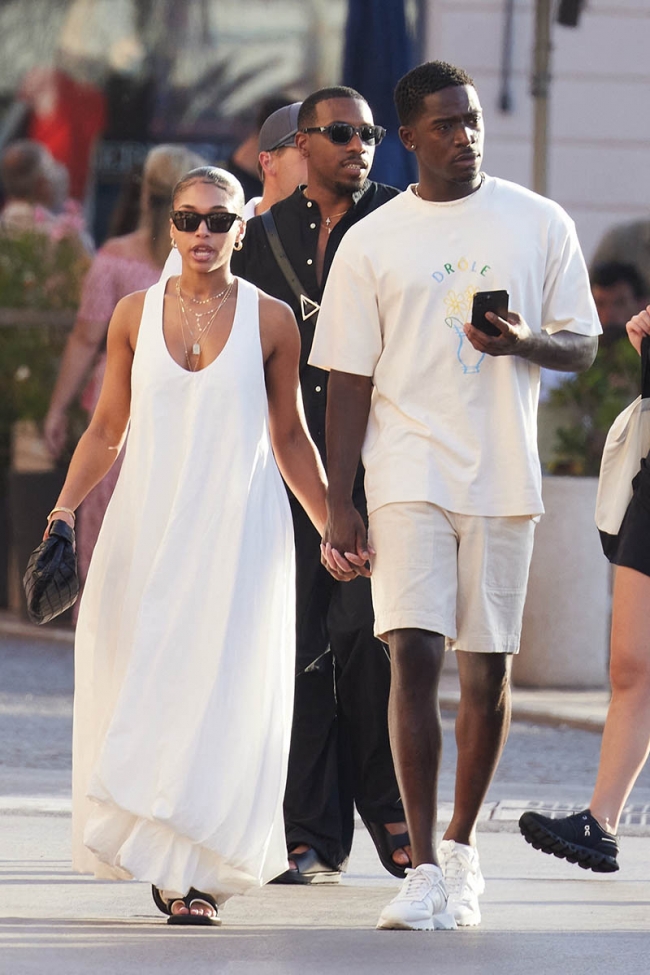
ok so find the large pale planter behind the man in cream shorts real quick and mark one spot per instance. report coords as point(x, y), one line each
point(565, 637)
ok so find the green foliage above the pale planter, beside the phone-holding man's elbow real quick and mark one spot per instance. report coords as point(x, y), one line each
point(595, 398)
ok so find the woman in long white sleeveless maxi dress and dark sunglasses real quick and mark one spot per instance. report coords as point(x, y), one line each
point(185, 641)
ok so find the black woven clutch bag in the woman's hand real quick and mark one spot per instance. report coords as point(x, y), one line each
point(51, 583)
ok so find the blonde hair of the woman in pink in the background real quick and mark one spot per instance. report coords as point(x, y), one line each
point(163, 168)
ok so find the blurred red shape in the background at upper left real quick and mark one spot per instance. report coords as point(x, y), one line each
point(67, 116)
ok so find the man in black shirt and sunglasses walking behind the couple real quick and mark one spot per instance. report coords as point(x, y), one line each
point(340, 751)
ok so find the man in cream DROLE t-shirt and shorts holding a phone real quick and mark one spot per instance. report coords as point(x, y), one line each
point(446, 416)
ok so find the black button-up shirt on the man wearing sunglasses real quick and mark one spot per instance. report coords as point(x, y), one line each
point(298, 222)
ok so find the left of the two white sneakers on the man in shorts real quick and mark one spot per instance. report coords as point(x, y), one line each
point(421, 904)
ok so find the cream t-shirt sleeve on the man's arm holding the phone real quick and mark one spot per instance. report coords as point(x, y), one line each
point(567, 299)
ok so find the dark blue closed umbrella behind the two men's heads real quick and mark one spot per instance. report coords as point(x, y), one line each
point(378, 51)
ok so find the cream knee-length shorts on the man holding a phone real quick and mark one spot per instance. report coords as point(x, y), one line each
point(464, 576)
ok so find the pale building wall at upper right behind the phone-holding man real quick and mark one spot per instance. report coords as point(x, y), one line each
point(599, 108)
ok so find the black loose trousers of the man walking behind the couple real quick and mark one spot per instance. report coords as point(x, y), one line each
point(340, 751)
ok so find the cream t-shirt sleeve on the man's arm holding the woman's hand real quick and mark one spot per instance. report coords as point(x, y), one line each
point(348, 335)
